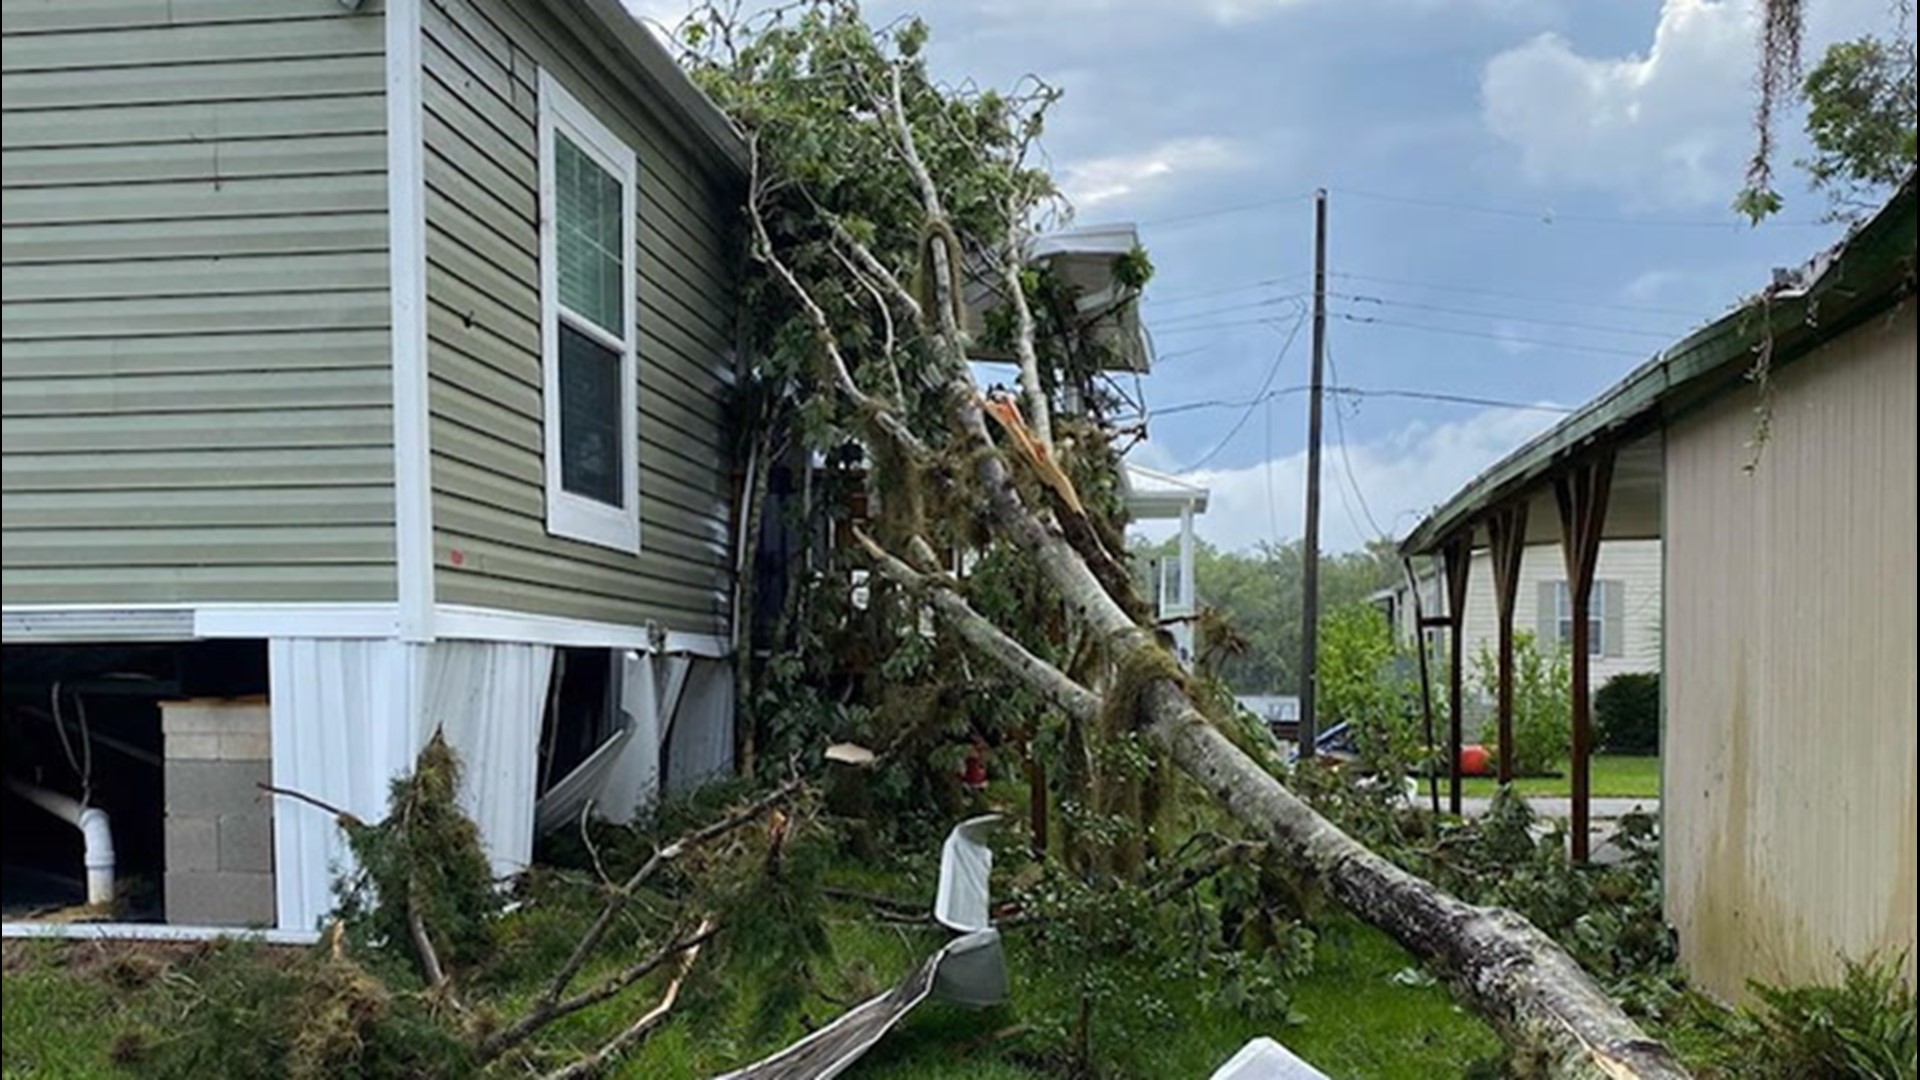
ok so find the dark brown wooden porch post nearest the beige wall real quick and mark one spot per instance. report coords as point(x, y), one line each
point(1583, 510)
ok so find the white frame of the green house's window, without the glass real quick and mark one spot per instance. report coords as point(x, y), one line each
point(573, 516)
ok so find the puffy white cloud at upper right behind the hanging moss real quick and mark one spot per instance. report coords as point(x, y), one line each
point(1666, 128)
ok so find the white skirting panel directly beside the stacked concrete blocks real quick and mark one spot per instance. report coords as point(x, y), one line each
point(343, 729)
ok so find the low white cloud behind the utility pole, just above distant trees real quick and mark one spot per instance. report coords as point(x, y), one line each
point(1401, 479)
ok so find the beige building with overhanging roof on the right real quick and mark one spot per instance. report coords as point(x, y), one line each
point(1785, 508)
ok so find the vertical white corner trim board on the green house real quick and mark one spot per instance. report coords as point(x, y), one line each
point(406, 235)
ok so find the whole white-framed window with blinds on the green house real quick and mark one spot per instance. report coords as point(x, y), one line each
point(588, 337)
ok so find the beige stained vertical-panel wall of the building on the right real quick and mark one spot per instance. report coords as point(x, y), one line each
point(1790, 708)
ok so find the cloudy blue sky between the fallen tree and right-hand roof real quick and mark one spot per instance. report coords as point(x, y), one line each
point(1527, 199)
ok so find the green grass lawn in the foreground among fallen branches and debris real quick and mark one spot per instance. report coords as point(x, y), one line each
point(66, 1008)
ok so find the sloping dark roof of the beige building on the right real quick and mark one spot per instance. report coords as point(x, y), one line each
point(1861, 276)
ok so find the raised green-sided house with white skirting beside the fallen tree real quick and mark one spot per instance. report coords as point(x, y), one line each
point(366, 376)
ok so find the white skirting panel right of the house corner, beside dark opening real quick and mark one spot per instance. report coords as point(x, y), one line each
point(489, 699)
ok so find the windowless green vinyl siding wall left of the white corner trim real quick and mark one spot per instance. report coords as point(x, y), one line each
point(197, 385)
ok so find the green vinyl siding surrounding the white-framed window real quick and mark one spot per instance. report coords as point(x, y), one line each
point(483, 272)
